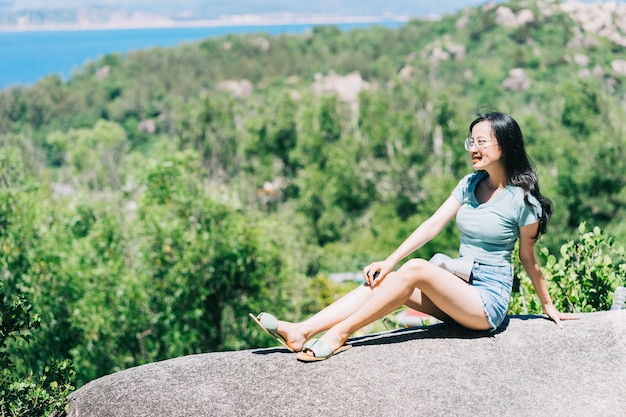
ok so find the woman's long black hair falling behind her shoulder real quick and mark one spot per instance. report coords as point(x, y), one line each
point(518, 165)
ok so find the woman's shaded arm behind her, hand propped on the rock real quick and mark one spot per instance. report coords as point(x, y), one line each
point(528, 238)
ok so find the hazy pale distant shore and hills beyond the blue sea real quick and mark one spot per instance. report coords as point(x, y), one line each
point(61, 14)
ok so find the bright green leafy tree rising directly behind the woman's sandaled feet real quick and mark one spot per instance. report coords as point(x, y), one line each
point(206, 264)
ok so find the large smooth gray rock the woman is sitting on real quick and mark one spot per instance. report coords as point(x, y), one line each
point(528, 368)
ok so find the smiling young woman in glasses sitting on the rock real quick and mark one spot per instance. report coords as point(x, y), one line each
point(494, 206)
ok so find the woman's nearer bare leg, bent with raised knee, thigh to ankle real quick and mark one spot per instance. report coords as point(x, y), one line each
point(448, 293)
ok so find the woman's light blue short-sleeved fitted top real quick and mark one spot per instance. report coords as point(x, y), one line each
point(489, 230)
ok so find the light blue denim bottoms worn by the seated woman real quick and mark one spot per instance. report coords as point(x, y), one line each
point(494, 284)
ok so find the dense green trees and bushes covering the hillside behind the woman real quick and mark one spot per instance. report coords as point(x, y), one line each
point(151, 201)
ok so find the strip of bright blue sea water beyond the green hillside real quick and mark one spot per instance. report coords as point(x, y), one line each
point(26, 57)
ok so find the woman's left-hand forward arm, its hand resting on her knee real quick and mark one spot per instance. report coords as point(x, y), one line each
point(425, 232)
